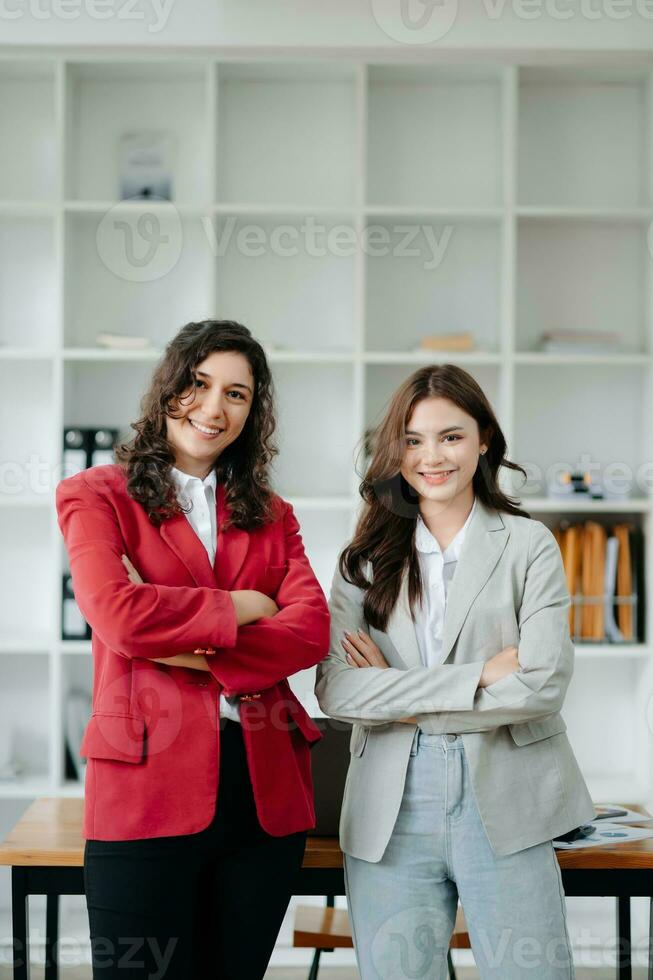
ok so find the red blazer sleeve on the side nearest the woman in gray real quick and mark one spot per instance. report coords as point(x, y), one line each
point(297, 637)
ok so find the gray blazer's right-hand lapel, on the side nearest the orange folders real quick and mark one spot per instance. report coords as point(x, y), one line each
point(485, 540)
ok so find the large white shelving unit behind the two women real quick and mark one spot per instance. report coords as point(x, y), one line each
point(341, 210)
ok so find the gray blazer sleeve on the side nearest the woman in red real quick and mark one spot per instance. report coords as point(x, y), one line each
point(378, 695)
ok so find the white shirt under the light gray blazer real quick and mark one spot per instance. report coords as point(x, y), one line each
point(437, 568)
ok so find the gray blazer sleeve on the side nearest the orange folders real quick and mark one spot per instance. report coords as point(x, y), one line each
point(546, 653)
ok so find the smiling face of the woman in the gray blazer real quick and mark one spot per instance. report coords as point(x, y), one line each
point(441, 450)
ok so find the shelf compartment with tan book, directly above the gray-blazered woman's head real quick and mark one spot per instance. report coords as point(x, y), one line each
point(428, 291)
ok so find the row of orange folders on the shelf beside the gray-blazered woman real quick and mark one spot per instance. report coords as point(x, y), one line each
point(603, 568)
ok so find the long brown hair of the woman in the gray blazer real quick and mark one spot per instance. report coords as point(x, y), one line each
point(385, 533)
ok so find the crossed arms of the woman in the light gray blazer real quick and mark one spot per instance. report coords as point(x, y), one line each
point(455, 697)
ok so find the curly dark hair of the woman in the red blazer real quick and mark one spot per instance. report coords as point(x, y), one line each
point(243, 466)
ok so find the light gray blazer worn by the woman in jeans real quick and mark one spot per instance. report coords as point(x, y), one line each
point(509, 588)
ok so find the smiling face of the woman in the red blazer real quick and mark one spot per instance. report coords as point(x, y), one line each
point(212, 413)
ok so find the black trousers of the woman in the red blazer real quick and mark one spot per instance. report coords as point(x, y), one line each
point(205, 906)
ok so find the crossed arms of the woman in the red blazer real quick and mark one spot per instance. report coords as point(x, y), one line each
point(144, 620)
